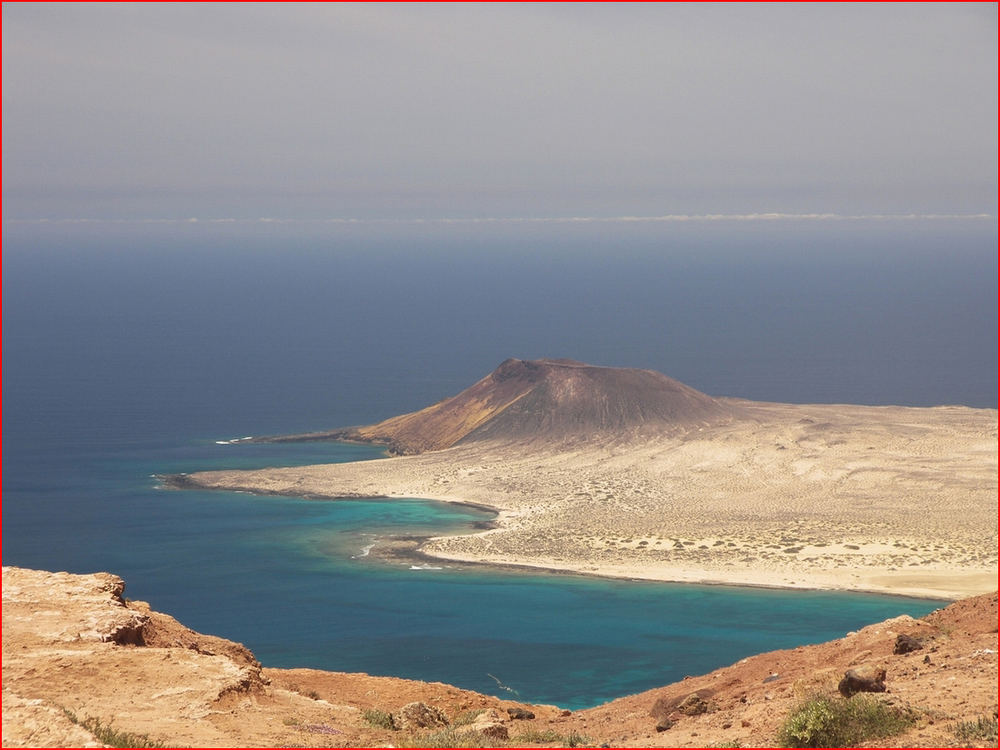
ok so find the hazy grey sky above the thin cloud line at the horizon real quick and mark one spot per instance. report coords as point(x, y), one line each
point(142, 111)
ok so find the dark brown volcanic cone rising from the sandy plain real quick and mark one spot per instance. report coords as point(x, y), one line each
point(546, 399)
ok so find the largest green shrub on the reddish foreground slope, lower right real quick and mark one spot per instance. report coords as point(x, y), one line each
point(839, 722)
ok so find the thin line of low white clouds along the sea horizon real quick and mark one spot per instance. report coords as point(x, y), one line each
point(663, 218)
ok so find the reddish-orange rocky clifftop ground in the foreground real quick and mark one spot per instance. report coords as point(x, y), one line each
point(79, 658)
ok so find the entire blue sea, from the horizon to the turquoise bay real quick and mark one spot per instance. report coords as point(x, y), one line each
point(129, 351)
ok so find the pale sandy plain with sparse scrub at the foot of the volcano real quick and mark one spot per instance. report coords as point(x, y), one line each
point(898, 500)
